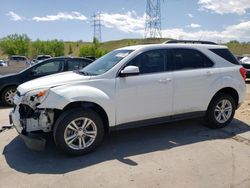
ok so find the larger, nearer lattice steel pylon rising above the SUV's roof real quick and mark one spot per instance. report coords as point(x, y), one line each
point(153, 19)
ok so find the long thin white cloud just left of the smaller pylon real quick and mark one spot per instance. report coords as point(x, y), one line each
point(61, 16)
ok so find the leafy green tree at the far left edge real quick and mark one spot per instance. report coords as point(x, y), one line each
point(15, 44)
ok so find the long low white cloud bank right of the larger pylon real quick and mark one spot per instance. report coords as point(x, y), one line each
point(233, 32)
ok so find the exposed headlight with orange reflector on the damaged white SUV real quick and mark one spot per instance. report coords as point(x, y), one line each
point(37, 95)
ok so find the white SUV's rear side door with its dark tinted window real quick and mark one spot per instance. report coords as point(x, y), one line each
point(193, 75)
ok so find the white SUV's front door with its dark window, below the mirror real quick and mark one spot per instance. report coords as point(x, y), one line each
point(148, 95)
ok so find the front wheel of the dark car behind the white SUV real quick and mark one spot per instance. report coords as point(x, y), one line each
point(7, 96)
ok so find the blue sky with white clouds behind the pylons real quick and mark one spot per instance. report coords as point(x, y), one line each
point(71, 20)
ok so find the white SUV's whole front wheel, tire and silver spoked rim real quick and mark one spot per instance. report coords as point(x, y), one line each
point(71, 137)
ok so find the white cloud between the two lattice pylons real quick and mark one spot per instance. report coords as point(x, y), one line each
point(128, 22)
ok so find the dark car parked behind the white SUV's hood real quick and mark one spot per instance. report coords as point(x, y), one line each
point(9, 83)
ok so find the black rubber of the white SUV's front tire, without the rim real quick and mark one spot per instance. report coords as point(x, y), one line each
point(65, 119)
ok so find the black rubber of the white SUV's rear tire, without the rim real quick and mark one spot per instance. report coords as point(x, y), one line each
point(210, 120)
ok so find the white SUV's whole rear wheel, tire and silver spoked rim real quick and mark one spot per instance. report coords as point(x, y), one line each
point(213, 118)
